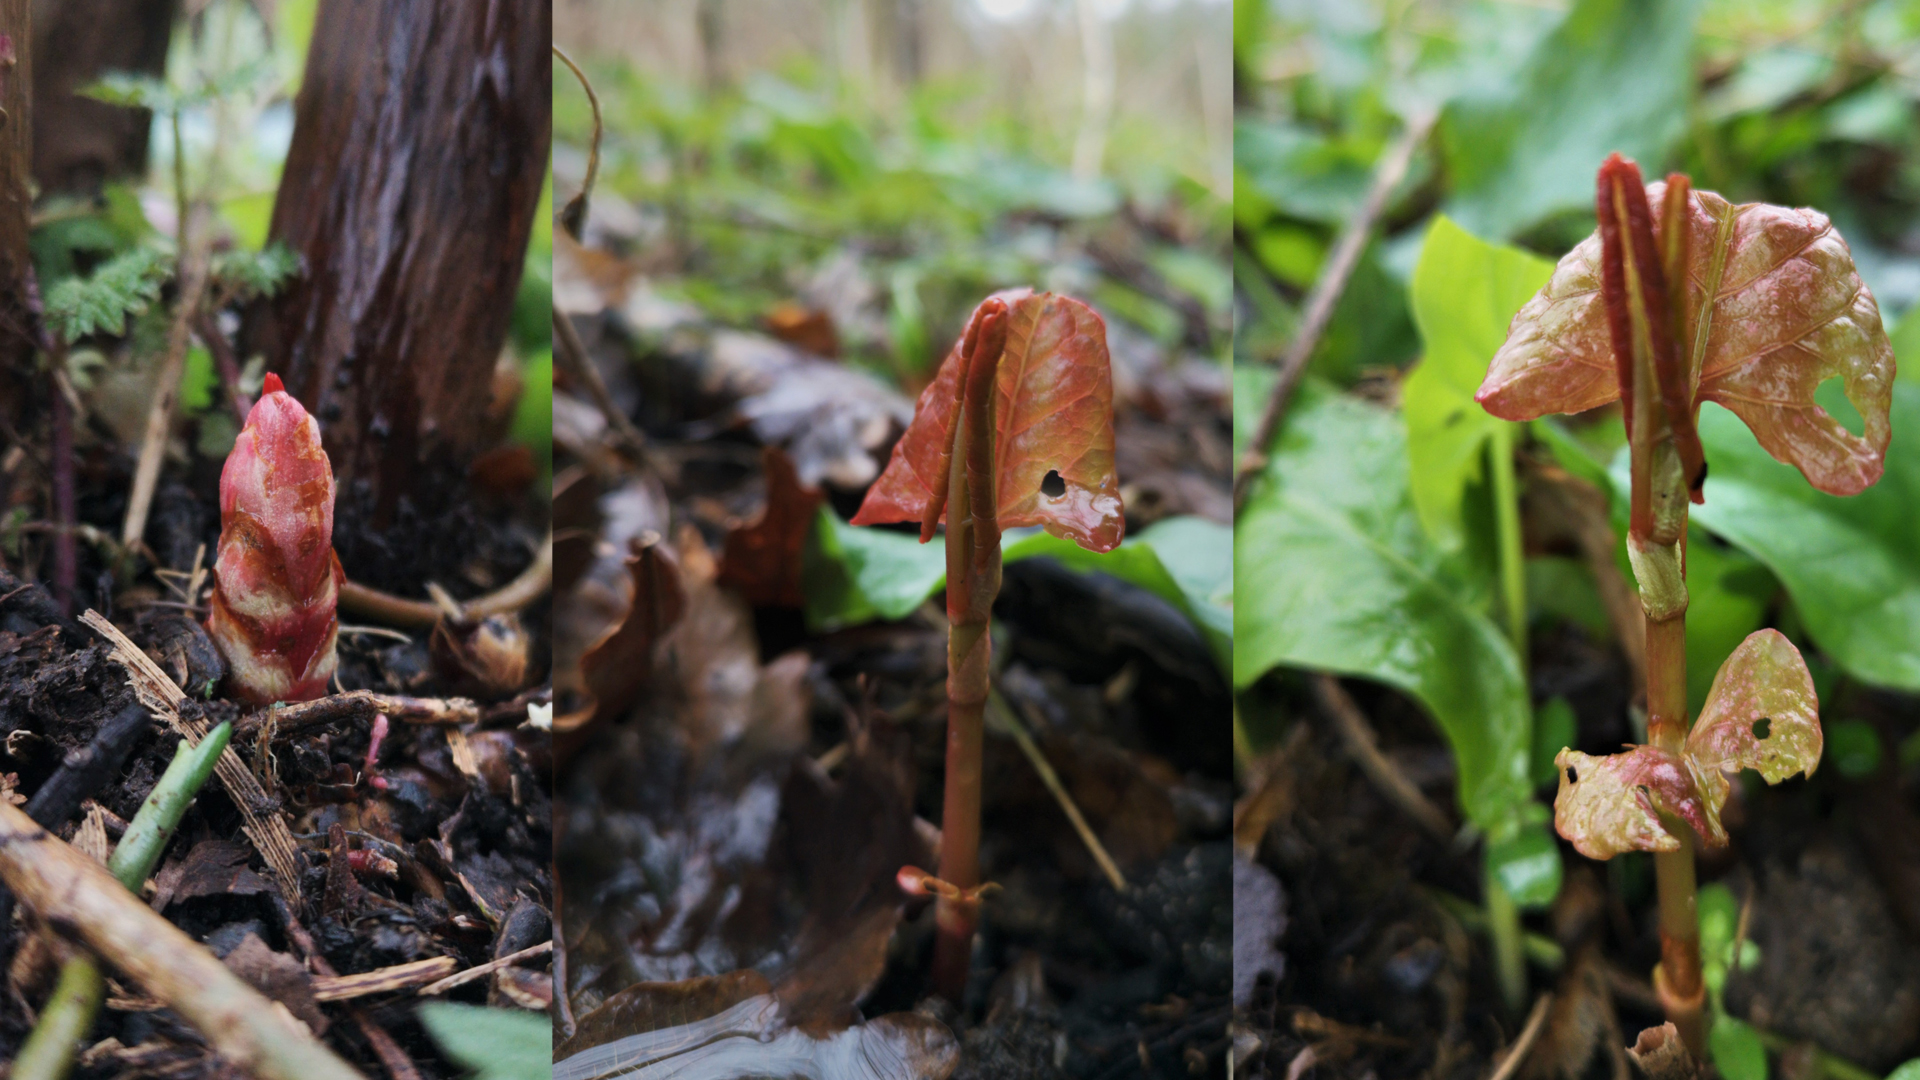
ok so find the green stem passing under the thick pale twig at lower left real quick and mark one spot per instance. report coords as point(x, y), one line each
point(70, 1012)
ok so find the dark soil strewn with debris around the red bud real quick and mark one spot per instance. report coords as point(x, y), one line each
point(468, 868)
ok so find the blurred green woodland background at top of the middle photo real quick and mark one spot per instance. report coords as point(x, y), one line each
point(890, 162)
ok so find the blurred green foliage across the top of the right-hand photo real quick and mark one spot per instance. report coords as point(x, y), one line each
point(1798, 103)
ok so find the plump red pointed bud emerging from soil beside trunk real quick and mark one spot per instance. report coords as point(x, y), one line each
point(277, 576)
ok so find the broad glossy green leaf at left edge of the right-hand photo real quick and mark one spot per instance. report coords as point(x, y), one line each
point(1333, 572)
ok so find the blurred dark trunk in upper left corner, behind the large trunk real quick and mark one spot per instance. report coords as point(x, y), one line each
point(80, 143)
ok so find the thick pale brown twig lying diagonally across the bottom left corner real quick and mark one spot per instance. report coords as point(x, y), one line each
point(80, 898)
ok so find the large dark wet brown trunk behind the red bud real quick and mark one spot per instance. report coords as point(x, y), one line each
point(412, 185)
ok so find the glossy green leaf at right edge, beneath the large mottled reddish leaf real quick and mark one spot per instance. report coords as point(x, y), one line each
point(1852, 564)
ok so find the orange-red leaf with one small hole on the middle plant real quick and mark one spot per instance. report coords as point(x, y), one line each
point(1053, 414)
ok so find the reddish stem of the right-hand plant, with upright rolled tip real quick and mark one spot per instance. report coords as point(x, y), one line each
point(1656, 401)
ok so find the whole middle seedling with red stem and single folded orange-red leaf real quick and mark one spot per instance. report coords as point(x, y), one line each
point(1026, 399)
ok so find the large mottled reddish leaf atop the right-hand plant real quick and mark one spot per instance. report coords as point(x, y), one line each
point(1787, 312)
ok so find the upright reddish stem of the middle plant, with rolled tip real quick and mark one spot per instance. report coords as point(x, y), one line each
point(972, 583)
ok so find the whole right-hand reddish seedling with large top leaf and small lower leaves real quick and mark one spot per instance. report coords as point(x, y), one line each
point(1750, 307)
